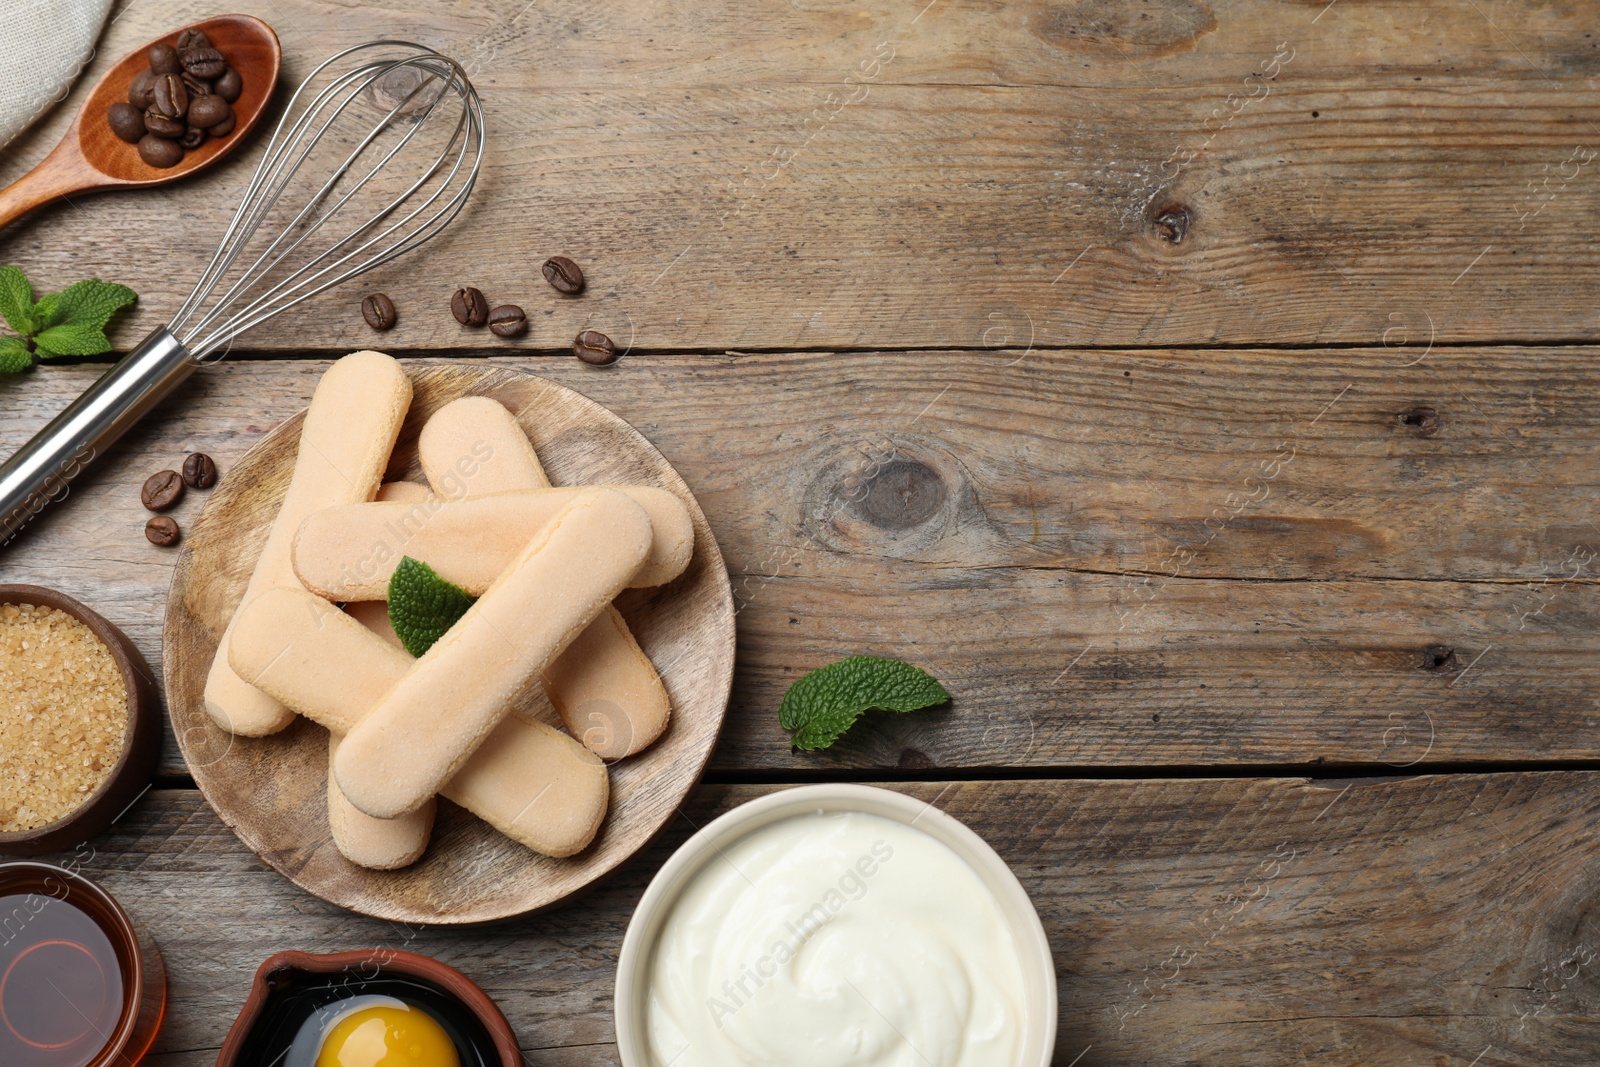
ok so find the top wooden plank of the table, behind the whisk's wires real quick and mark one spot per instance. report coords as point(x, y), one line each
point(839, 175)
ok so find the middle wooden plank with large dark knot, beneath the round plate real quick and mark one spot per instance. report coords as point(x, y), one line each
point(1018, 529)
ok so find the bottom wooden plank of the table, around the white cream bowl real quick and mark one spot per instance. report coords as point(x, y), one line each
point(1266, 922)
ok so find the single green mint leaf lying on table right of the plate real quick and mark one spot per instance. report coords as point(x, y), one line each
point(822, 706)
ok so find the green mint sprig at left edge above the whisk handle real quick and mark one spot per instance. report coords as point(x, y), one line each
point(71, 322)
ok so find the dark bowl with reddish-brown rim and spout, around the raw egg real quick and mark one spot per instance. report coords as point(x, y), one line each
point(298, 999)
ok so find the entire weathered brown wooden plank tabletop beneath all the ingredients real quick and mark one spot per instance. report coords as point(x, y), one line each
point(1222, 380)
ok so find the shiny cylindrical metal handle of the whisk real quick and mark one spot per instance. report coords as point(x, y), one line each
point(42, 470)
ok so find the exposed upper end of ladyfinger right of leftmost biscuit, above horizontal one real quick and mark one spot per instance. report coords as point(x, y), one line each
point(474, 447)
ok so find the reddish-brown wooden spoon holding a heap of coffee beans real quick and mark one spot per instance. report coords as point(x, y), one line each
point(94, 158)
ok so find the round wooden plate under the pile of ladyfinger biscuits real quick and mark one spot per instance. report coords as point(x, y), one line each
point(271, 791)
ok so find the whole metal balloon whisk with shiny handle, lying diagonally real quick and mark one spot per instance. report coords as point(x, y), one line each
point(377, 153)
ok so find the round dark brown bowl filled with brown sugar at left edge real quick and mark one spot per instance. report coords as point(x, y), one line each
point(81, 719)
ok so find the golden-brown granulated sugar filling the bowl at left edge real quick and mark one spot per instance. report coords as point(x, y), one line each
point(63, 716)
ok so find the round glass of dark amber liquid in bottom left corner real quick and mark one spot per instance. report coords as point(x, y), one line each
point(79, 985)
